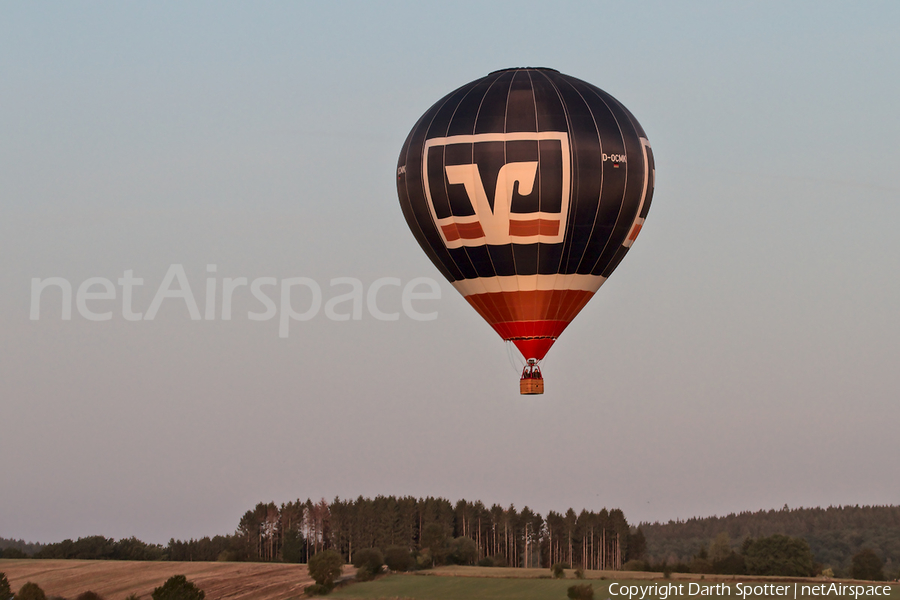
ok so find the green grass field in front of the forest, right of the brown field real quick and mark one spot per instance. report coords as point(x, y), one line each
point(419, 587)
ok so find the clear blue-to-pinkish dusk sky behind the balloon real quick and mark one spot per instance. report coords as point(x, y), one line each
point(742, 357)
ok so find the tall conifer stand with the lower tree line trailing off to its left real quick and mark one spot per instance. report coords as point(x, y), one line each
point(432, 530)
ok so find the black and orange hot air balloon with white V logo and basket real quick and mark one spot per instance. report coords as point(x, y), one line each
point(526, 188)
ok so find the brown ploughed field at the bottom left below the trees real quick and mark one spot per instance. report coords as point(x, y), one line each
point(114, 580)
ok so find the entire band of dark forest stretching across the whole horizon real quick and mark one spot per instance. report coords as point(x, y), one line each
point(434, 531)
